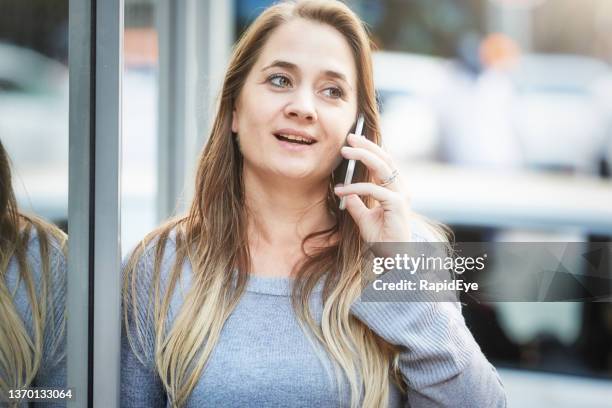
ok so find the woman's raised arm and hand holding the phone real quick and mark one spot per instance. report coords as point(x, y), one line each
point(441, 362)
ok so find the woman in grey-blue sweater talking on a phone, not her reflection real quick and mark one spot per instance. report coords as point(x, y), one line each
point(250, 299)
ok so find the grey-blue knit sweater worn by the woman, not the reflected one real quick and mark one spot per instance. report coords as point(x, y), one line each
point(264, 359)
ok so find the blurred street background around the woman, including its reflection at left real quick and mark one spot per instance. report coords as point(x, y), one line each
point(498, 112)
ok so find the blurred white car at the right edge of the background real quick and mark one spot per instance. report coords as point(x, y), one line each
point(561, 113)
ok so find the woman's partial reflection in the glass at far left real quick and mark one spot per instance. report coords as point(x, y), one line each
point(32, 293)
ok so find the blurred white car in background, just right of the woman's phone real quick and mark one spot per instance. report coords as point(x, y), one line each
point(433, 109)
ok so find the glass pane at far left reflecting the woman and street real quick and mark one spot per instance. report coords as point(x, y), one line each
point(33, 196)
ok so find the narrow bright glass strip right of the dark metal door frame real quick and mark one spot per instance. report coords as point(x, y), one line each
point(140, 123)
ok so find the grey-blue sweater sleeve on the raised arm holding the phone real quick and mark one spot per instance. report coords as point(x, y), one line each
point(440, 361)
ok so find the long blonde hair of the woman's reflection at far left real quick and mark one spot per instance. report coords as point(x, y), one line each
point(21, 354)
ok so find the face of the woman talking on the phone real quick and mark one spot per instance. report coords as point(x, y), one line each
point(303, 86)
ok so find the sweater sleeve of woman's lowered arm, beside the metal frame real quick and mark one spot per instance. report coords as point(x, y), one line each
point(140, 384)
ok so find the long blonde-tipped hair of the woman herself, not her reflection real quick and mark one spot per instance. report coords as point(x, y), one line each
point(212, 236)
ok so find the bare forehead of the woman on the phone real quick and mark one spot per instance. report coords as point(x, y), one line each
point(309, 47)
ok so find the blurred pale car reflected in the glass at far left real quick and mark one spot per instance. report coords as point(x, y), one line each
point(34, 129)
